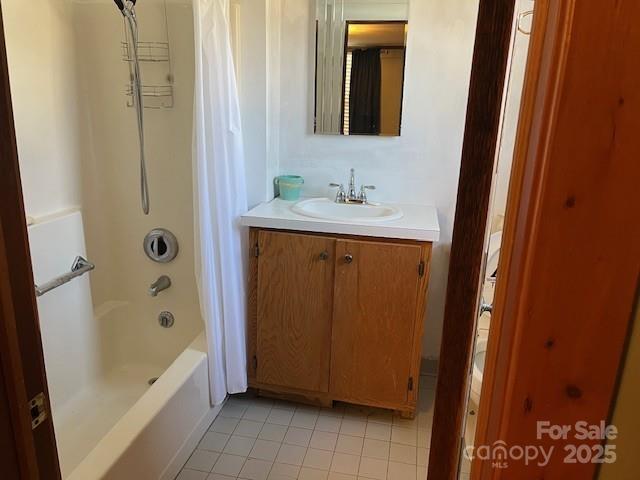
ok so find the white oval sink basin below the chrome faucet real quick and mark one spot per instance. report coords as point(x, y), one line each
point(326, 209)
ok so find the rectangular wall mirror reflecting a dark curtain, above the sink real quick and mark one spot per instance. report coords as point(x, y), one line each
point(360, 52)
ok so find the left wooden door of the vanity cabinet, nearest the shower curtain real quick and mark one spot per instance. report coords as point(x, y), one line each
point(295, 303)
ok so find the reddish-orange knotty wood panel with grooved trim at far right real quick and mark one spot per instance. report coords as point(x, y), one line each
point(563, 33)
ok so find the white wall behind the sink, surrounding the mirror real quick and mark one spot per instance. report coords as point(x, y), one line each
point(421, 166)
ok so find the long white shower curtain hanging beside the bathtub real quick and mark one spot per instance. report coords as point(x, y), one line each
point(220, 199)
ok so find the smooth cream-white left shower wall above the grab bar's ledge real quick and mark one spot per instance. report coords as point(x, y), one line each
point(42, 67)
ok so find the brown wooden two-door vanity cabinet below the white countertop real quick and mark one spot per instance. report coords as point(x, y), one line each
point(334, 317)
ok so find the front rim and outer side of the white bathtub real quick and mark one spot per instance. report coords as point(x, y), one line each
point(156, 435)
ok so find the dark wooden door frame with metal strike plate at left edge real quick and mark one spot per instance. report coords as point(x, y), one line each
point(33, 452)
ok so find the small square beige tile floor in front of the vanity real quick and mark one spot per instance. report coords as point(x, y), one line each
point(260, 439)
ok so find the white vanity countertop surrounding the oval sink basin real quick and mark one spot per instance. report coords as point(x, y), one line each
point(419, 222)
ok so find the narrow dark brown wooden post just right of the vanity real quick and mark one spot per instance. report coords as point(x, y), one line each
point(488, 75)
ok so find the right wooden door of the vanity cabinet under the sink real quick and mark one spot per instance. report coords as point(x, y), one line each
point(374, 318)
